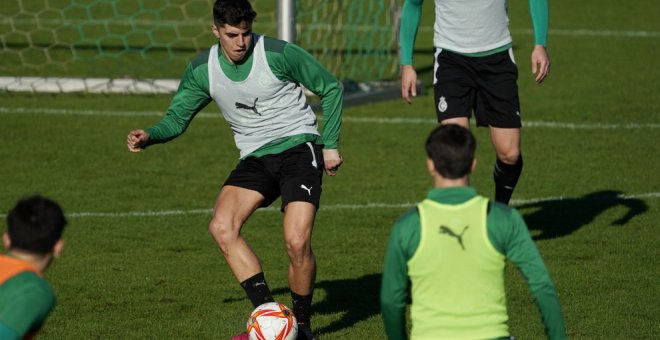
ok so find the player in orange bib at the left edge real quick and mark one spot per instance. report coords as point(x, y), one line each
point(32, 240)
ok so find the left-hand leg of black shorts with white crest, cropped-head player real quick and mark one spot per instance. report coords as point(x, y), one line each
point(453, 86)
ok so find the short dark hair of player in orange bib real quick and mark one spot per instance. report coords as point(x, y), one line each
point(35, 224)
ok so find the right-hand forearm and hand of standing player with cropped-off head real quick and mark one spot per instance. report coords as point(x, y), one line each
point(540, 60)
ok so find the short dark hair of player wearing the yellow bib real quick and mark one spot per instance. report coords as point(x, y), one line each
point(451, 147)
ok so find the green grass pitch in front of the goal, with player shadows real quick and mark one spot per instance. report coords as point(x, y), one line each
point(589, 192)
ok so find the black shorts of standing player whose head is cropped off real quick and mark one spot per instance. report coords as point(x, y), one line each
point(486, 85)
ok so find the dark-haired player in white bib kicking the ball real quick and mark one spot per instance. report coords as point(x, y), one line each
point(256, 82)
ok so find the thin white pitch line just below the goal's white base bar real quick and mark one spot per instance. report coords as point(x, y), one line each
point(348, 119)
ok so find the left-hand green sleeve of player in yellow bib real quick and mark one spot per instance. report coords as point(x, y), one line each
point(394, 292)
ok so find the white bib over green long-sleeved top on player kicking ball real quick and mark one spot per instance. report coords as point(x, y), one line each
point(260, 97)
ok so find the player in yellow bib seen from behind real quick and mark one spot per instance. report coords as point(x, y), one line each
point(448, 254)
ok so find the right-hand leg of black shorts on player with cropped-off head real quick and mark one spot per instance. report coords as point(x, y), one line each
point(497, 103)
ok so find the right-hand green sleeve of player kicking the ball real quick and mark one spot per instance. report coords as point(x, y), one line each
point(297, 65)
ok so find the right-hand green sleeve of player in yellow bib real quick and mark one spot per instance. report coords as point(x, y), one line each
point(509, 234)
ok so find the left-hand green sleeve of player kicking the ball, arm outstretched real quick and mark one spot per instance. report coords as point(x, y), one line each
point(191, 97)
